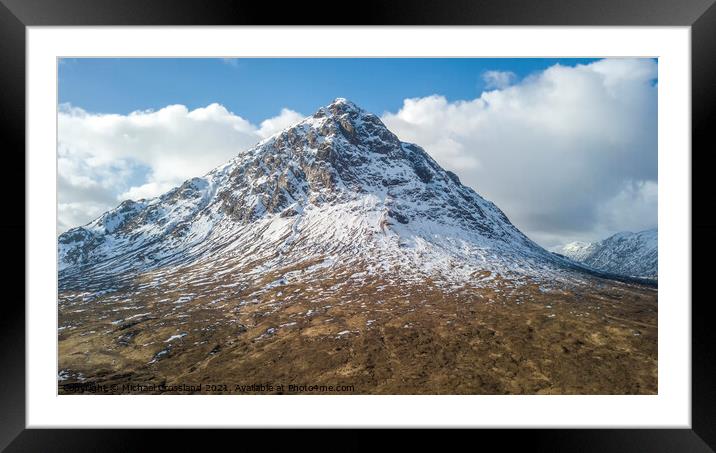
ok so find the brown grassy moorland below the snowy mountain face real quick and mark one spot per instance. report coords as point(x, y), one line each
point(379, 336)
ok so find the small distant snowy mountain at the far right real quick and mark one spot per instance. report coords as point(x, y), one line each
point(628, 254)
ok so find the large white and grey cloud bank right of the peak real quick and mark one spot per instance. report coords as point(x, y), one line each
point(569, 153)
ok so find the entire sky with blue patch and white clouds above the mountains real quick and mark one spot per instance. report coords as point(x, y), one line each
point(567, 148)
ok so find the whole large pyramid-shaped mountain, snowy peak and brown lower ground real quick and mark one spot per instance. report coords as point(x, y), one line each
point(334, 253)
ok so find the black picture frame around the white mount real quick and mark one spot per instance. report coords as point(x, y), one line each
point(16, 15)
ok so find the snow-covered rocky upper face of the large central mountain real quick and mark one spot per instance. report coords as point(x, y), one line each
point(338, 187)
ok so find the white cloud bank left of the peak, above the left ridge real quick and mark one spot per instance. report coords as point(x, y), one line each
point(106, 158)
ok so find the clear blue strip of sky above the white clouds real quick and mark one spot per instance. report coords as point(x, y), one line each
point(258, 88)
